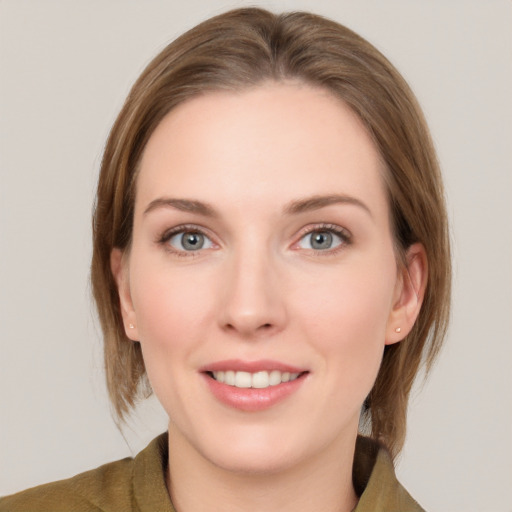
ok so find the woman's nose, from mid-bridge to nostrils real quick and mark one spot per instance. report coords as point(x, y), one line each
point(252, 296)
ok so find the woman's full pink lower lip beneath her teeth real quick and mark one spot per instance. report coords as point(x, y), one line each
point(253, 399)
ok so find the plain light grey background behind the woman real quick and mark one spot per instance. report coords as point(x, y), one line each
point(66, 67)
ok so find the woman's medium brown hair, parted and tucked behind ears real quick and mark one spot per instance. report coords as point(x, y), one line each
point(241, 49)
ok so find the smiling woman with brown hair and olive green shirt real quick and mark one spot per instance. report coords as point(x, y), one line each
point(268, 211)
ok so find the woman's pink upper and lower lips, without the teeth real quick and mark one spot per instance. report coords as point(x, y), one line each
point(252, 399)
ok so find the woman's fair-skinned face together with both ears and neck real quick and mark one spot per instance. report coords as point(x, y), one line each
point(262, 242)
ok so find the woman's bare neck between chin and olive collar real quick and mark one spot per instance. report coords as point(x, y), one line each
point(322, 483)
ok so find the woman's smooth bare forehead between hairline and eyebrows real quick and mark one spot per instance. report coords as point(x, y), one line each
point(270, 144)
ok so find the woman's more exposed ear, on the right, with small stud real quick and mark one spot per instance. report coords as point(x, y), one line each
point(409, 293)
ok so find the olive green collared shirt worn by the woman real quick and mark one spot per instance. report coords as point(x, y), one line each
point(138, 485)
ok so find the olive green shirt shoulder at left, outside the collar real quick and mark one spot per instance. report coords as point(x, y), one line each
point(100, 489)
